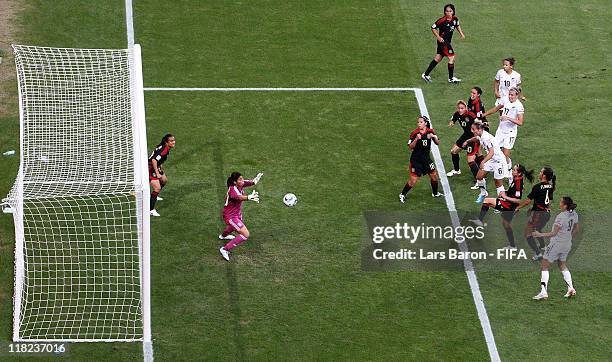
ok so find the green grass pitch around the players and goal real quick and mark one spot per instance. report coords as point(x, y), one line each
point(296, 289)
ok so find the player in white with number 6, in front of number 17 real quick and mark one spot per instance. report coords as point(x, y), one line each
point(494, 161)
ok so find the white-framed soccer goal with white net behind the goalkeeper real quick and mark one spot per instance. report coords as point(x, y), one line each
point(80, 200)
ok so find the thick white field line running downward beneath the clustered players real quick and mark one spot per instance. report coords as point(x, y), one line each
point(467, 263)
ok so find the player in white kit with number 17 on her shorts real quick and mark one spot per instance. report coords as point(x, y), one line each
point(512, 114)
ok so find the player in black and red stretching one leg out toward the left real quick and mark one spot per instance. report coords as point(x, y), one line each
point(506, 202)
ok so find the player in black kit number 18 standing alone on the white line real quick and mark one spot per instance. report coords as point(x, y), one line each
point(420, 163)
